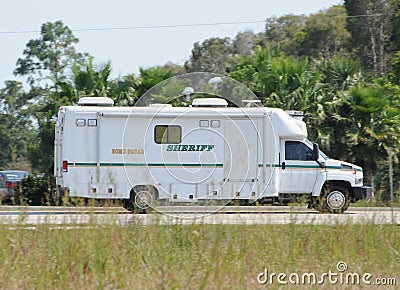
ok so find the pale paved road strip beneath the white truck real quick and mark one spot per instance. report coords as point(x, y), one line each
point(86, 216)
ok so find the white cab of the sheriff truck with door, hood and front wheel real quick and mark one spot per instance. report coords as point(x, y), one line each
point(333, 184)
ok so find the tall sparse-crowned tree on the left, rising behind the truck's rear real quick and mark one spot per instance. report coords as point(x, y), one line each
point(46, 63)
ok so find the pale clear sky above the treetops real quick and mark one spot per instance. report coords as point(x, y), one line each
point(142, 41)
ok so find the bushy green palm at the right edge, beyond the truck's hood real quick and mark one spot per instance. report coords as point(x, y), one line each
point(369, 125)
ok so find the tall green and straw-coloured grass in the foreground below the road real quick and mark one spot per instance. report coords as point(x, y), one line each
point(194, 256)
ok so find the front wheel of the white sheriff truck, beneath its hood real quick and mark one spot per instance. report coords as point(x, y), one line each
point(334, 200)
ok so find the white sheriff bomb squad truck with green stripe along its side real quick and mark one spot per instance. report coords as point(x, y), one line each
point(205, 152)
